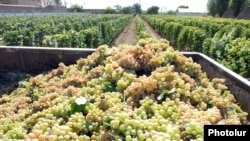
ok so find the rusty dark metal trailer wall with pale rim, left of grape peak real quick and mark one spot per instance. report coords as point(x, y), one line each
point(38, 59)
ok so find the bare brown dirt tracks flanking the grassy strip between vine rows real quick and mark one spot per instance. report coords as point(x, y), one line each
point(128, 36)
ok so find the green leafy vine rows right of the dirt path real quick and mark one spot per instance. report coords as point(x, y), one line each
point(226, 41)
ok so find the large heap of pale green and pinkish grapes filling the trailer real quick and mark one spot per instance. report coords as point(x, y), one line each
point(145, 92)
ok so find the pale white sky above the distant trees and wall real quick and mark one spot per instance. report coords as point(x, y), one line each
point(164, 5)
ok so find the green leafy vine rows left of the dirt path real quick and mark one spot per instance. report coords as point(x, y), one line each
point(62, 30)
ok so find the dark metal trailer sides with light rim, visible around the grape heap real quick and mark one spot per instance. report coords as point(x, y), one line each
point(17, 62)
